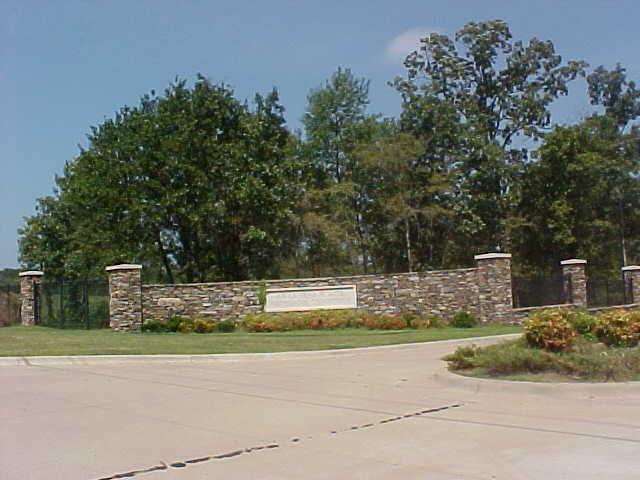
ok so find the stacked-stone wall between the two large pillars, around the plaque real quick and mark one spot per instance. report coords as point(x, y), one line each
point(440, 293)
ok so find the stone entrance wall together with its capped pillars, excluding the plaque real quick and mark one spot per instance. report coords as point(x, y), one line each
point(484, 291)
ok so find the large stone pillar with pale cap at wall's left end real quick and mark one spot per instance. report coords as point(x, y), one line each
point(125, 297)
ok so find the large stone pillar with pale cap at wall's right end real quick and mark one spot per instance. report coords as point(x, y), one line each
point(495, 302)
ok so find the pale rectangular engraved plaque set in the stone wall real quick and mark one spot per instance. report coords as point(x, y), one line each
point(301, 299)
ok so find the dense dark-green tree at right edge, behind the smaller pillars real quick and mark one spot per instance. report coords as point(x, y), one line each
point(580, 199)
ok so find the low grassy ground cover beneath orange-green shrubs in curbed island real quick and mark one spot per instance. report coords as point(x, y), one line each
point(587, 361)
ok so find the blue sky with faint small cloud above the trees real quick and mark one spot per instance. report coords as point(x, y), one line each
point(65, 66)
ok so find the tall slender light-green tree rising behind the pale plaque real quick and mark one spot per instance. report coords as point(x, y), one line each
point(336, 125)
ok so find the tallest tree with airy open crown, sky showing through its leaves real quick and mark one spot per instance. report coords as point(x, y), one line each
point(489, 90)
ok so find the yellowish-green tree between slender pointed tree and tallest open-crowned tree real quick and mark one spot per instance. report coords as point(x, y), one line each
point(409, 202)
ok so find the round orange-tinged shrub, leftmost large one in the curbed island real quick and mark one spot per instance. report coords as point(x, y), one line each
point(549, 329)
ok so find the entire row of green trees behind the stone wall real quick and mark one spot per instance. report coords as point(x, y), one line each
point(197, 184)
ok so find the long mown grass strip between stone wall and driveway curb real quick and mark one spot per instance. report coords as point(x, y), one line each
point(29, 341)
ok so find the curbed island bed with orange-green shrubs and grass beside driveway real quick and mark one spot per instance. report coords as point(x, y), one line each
point(560, 345)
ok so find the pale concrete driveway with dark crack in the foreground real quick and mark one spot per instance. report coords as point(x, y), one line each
point(391, 412)
